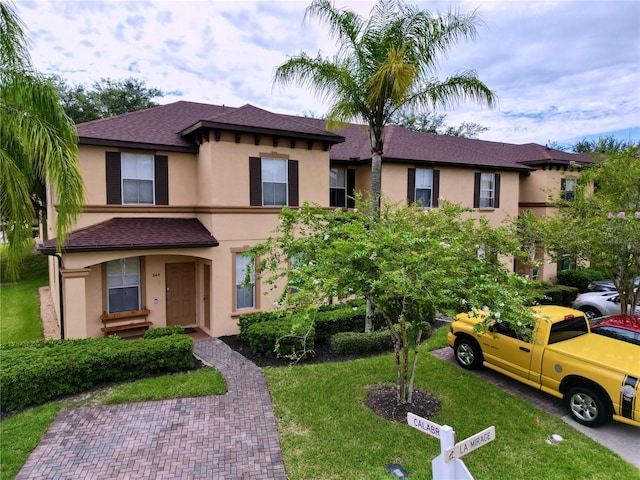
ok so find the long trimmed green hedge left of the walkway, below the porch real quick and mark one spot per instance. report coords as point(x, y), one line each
point(37, 372)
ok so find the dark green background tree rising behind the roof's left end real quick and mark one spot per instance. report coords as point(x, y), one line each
point(106, 98)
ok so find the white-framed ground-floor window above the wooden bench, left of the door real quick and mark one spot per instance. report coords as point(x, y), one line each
point(123, 285)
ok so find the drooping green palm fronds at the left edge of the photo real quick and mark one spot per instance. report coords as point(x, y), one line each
point(38, 143)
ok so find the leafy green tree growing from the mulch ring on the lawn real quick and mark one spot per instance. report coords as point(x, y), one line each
point(411, 260)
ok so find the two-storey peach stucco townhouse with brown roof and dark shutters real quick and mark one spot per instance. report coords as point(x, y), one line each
point(176, 193)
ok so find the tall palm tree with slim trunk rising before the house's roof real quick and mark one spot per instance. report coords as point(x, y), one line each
point(384, 65)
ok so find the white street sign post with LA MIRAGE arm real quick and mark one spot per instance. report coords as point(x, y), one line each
point(447, 465)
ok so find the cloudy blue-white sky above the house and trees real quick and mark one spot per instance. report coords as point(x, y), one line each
point(562, 70)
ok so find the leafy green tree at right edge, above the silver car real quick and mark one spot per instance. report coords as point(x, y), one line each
point(601, 225)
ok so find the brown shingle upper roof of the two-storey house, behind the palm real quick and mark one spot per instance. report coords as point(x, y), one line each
point(169, 127)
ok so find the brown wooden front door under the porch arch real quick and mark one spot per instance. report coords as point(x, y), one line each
point(181, 293)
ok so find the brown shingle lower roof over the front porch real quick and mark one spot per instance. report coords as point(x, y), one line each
point(136, 234)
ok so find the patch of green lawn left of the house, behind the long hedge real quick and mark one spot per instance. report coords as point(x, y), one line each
point(19, 303)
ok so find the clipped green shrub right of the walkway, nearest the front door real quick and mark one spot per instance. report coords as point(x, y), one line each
point(281, 337)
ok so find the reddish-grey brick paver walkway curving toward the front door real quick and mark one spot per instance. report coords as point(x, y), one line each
point(231, 436)
